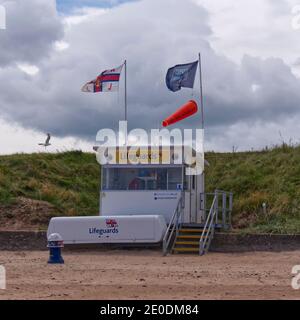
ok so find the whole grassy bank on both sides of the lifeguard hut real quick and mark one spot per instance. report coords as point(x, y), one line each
point(70, 182)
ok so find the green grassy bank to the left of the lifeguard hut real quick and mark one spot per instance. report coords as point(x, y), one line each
point(69, 180)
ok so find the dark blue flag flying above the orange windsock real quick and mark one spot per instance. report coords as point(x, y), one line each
point(181, 75)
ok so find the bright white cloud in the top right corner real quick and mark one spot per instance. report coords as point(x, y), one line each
point(254, 27)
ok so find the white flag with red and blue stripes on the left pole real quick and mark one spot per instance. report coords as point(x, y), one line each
point(107, 81)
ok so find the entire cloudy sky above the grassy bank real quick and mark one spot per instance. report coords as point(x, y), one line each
point(251, 69)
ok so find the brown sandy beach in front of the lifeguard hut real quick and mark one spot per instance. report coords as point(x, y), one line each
point(132, 274)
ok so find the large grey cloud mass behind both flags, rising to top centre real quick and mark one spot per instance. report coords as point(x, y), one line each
point(153, 35)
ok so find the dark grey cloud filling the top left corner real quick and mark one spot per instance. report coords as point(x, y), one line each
point(32, 28)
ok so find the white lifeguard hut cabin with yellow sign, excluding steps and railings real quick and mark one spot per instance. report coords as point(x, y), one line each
point(145, 180)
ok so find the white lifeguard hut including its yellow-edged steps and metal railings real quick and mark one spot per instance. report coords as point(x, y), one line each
point(164, 188)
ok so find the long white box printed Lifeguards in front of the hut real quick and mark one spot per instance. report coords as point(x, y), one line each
point(117, 229)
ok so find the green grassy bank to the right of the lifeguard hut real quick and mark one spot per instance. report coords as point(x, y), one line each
point(270, 176)
